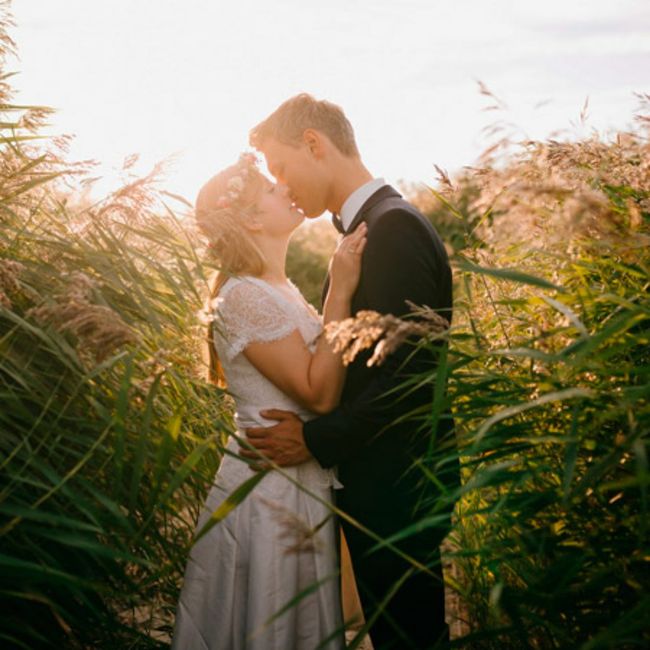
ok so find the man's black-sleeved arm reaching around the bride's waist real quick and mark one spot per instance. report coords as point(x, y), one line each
point(398, 263)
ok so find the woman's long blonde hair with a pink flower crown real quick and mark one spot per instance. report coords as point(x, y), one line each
point(230, 245)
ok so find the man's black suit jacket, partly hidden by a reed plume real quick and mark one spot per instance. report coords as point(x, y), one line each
point(404, 260)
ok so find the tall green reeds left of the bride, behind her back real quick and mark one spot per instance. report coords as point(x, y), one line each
point(109, 436)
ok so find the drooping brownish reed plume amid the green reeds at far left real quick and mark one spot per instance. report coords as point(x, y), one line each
point(100, 329)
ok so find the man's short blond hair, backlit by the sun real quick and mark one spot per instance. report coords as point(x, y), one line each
point(290, 120)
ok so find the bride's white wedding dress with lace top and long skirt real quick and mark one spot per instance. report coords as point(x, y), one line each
point(279, 543)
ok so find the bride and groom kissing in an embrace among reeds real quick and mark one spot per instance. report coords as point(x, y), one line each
point(268, 576)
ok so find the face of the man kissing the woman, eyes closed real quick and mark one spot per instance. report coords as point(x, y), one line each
point(301, 171)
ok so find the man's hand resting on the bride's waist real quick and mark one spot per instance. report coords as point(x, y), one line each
point(282, 444)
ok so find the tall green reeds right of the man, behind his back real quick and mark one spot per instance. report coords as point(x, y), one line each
point(549, 381)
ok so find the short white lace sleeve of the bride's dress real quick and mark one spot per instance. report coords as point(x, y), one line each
point(247, 313)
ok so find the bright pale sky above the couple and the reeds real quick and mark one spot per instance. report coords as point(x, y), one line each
point(190, 77)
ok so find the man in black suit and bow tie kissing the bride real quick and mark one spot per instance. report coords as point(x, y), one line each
point(309, 145)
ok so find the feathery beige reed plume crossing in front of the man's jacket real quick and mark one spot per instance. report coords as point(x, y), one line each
point(385, 331)
